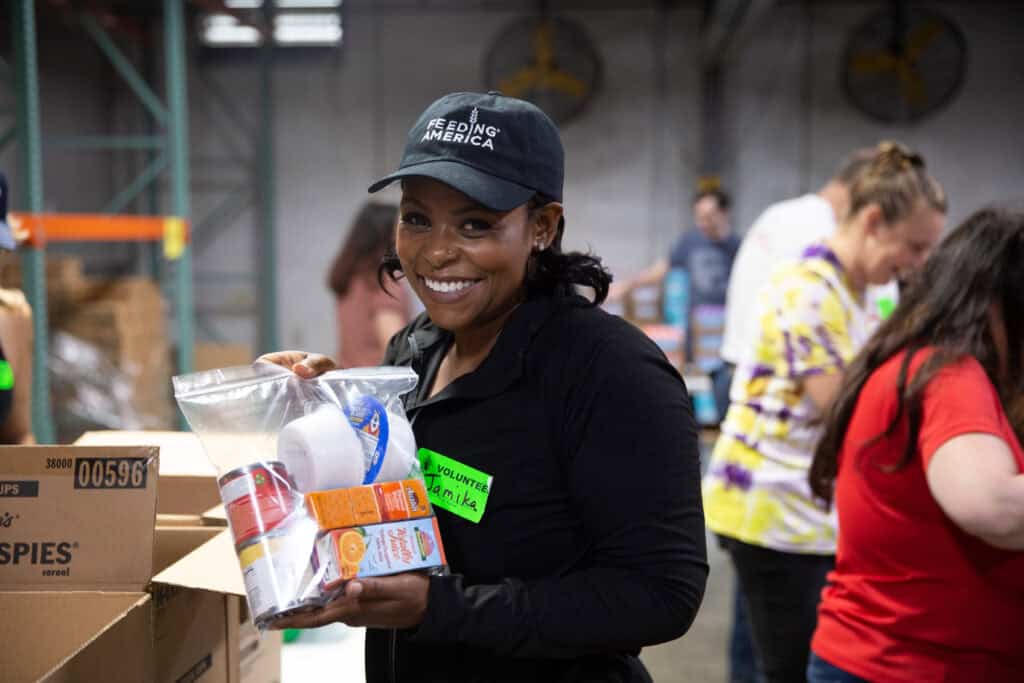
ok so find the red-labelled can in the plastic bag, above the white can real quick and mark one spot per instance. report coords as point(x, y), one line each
point(258, 498)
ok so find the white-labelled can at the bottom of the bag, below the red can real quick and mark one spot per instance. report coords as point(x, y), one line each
point(278, 573)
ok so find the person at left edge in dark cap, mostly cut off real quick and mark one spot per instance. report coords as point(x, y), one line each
point(16, 349)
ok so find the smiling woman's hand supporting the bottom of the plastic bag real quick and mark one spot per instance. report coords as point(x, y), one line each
point(383, 603)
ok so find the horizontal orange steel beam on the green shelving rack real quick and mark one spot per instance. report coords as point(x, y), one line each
point(37, 230)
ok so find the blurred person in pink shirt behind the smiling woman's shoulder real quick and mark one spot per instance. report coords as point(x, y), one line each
point(369, 312)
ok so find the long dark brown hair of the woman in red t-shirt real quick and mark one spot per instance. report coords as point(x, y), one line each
point(946, 308)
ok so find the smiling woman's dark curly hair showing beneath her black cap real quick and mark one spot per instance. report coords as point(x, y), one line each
point(548, 272)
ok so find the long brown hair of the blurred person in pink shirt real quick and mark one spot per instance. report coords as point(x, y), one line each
point(370, 239)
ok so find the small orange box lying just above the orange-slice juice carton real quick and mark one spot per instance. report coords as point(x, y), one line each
point(370, 504)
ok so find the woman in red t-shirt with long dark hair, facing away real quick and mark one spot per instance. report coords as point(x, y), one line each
point(923, 453)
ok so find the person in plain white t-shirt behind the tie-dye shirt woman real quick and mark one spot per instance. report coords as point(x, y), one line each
point(780, 236)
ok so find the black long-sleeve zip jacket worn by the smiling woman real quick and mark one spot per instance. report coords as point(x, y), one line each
point(592, 541)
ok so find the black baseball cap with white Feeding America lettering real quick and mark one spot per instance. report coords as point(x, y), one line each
point(497, 150)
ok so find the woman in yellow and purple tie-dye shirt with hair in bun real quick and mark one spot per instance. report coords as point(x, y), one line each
point(813, 322)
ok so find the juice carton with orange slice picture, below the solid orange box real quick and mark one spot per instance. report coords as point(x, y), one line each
point(378, 550)
